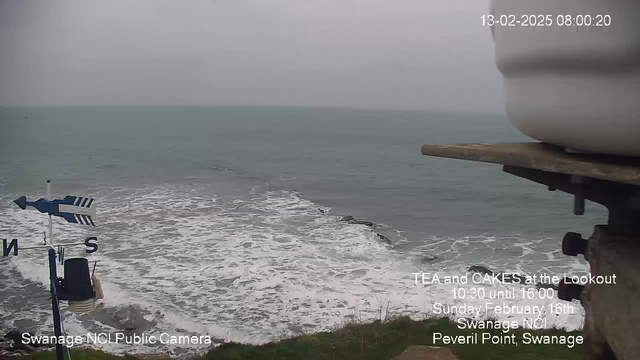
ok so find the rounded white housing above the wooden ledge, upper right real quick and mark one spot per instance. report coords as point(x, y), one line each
point(575, 87)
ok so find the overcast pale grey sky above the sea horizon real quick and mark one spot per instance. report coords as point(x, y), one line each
point(354, 53)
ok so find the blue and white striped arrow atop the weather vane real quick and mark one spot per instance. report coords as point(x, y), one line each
point(74, 209)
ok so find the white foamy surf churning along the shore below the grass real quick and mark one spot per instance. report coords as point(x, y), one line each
point(250, 269)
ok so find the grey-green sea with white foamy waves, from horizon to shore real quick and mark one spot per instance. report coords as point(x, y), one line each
point(226, 221)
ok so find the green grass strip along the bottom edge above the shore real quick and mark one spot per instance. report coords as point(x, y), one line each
point(371, 341)
